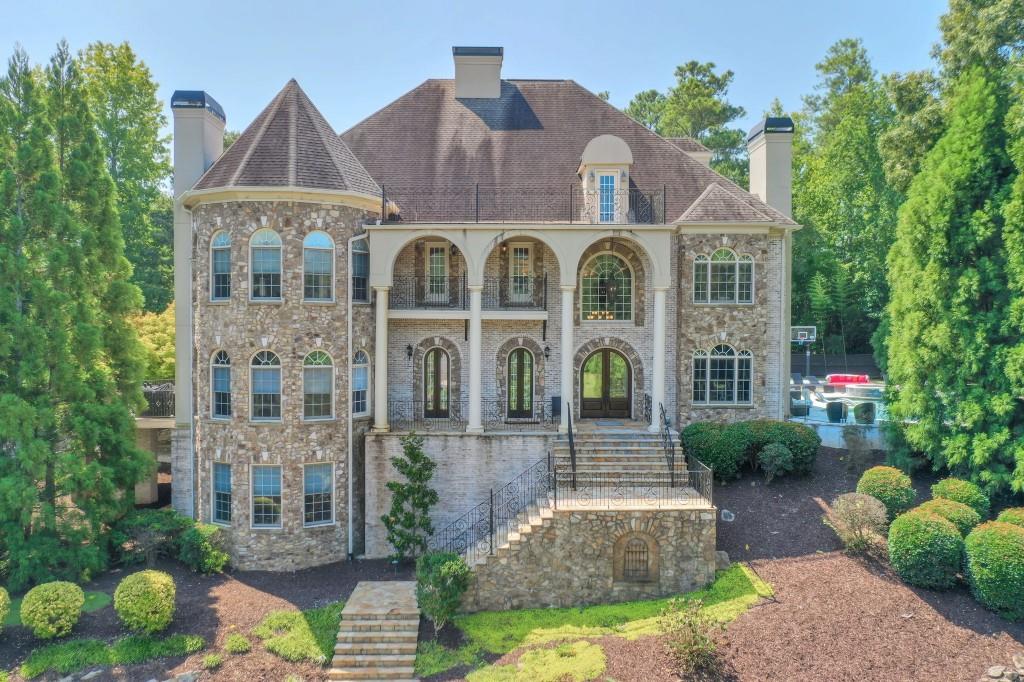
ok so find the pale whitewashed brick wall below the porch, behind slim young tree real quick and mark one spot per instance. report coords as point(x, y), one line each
point(468, 466)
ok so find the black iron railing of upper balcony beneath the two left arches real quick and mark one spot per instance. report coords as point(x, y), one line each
point(530, 293)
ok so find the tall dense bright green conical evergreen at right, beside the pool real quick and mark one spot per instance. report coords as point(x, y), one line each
point(949, 344)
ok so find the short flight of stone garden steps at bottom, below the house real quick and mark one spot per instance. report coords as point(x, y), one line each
point(379, 628)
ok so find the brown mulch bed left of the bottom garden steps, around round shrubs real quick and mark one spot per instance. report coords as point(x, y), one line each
point(214, 607)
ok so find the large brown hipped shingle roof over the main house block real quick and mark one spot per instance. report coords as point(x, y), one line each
point(531, 138)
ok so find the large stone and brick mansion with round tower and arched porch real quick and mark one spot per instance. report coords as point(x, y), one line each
point(486, 262)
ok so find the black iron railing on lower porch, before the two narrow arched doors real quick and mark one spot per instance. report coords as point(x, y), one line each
point(413, 416)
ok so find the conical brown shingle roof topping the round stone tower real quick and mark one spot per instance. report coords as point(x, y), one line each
point(290, 145)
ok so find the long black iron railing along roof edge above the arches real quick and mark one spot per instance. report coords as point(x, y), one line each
point(488, 204)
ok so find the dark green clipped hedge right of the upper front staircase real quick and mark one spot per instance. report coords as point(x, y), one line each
point(728, 448)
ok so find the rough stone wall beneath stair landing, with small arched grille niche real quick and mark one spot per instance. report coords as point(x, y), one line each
point(575, 559)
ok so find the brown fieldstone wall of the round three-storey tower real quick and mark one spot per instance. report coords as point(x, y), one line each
point(291, 329)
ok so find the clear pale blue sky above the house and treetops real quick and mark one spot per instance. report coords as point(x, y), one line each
point(355, 58)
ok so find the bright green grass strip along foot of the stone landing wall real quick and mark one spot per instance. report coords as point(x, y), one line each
point(734, 591)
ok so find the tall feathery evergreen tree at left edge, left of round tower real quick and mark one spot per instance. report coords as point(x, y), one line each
point(69, 363)
